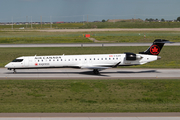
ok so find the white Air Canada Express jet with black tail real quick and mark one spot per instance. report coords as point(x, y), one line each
point(95, 62)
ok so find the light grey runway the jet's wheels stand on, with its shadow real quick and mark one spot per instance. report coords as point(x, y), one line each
point(68, 73)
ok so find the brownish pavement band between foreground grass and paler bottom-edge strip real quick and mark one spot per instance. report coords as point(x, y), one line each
point(150, 114)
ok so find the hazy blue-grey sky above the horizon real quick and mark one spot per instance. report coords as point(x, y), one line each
point(81, 10)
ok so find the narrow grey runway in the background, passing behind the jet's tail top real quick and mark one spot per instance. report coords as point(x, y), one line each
point(83, 45)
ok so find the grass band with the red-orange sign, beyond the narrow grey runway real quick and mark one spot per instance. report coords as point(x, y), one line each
point(26, 37)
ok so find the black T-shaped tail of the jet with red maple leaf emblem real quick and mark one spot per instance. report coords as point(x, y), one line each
point(156, 47)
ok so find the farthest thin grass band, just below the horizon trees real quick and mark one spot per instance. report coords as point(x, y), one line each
point(98, 25)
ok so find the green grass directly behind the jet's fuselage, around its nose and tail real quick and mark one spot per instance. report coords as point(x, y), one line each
point(170, 54)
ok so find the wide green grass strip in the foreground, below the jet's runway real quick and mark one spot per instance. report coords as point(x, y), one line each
point(22, 96)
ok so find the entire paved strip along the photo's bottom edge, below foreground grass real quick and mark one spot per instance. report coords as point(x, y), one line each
point(90, 116)
